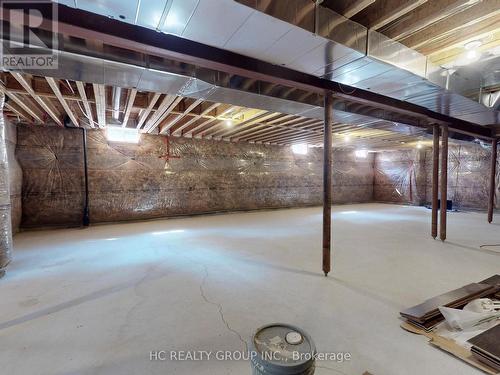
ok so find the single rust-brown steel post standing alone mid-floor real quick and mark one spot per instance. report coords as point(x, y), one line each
point(327, 182)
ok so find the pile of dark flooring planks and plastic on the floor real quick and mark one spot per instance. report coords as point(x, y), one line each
point(462, 322)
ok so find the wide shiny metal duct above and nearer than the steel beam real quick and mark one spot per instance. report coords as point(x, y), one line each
point(312, 39)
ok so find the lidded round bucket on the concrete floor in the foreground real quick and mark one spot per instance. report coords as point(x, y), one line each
point(282, 349)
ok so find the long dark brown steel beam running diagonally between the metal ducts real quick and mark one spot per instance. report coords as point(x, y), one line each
point(80, 24)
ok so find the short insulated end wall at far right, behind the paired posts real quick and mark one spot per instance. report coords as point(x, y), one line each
point(406, 176)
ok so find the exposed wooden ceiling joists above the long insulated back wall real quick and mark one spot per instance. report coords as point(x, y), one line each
point(180, 116)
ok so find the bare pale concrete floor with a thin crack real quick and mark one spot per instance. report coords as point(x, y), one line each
point(98, 300)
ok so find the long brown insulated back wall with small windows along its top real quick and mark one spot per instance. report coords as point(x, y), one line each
point(172, 176)
